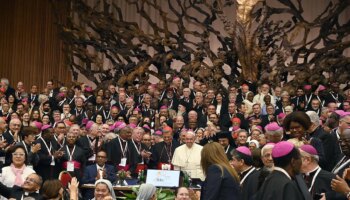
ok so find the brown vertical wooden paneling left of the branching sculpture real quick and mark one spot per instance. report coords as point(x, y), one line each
point(30, 48)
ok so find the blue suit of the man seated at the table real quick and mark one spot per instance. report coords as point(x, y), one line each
point(89, 177)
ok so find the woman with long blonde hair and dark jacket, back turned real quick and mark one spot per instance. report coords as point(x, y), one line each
point(222, 181)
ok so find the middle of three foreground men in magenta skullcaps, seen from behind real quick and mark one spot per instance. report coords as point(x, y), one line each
point(280, 183)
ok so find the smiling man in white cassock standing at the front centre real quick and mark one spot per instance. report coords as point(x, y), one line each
point(187, 157)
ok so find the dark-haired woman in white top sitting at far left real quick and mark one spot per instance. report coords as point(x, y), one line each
point(17, 172)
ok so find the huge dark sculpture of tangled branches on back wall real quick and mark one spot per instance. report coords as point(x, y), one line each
point(255, 45)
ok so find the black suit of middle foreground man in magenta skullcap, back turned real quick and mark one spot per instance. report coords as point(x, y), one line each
point(278, 186)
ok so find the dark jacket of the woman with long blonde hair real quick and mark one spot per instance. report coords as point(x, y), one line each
point(219, 185)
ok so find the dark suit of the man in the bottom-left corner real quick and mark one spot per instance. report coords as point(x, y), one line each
point(17, 192)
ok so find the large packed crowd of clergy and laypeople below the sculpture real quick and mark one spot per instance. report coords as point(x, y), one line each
point(248, 141)
